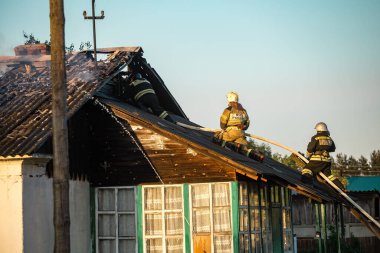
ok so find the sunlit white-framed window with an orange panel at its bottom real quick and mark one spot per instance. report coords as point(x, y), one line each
point(211, 218)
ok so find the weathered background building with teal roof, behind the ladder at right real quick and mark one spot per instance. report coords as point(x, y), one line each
point(364, 190)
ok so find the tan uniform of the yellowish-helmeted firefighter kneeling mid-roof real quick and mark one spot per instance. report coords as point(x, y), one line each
point(234, 120)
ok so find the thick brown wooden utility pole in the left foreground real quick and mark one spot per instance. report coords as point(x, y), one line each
point(60, 141)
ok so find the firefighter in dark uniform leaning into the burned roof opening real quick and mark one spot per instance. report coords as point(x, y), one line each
point(143, 94)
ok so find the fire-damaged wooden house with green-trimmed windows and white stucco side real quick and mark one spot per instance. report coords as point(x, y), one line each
point(138, 183)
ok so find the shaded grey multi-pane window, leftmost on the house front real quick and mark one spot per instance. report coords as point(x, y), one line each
point(116, 220)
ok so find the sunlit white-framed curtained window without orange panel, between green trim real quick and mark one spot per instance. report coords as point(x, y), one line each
point(163, 219)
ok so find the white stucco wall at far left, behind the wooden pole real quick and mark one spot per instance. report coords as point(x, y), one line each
point(26, 209)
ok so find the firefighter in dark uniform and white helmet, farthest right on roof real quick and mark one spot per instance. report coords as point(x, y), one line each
point(318, 153)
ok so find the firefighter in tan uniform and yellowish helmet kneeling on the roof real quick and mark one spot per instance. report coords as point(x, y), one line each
point(234, 121)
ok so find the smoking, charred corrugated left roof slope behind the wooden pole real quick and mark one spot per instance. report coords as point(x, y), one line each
point(25, 98)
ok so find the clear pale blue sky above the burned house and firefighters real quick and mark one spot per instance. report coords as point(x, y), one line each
point(293, 62)
